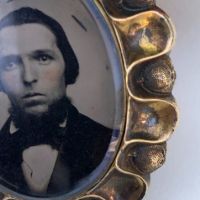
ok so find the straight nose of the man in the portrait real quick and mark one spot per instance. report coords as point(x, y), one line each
point(29, 72)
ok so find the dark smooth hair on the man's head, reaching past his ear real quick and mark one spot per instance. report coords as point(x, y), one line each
point(29, 15)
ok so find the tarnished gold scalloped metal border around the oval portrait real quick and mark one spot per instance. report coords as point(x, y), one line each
point(145, 36)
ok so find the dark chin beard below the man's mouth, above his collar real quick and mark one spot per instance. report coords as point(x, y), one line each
point(55, 115)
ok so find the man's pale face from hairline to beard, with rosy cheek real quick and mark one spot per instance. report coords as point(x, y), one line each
point(31, 67)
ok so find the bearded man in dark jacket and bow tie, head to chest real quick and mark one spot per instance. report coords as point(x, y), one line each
point(46, 144)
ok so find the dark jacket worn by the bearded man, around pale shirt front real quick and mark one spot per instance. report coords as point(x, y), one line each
point(82, 146)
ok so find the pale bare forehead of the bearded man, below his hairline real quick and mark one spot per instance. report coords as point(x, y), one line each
point(26, 38)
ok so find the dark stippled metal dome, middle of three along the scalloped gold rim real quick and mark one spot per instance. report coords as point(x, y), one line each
point(152, 78)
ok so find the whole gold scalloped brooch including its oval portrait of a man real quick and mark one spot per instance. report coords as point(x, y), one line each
point(86, 103)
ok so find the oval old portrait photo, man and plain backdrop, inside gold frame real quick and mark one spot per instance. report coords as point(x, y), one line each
point(57, 113)
